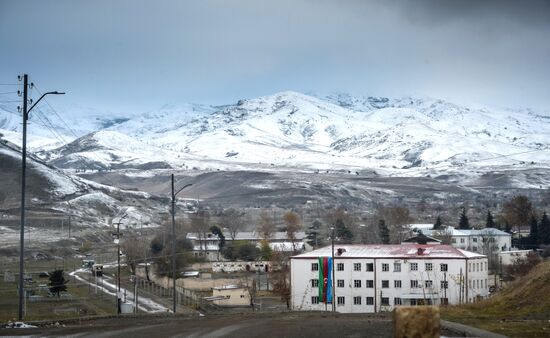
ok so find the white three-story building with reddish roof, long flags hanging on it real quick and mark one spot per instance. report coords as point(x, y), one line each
point(373, 278)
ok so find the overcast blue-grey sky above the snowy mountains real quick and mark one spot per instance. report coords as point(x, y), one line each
point(138, 55)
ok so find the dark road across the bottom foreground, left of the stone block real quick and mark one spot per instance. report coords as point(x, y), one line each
point(242, 326)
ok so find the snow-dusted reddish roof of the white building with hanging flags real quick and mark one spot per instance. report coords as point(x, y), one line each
point(404, 251)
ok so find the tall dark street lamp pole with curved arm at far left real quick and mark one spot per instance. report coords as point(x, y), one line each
point(23, 182)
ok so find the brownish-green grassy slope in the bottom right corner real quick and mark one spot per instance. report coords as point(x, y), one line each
point(521, 310)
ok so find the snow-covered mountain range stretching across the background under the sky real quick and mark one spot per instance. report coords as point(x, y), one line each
point(404, 136)
